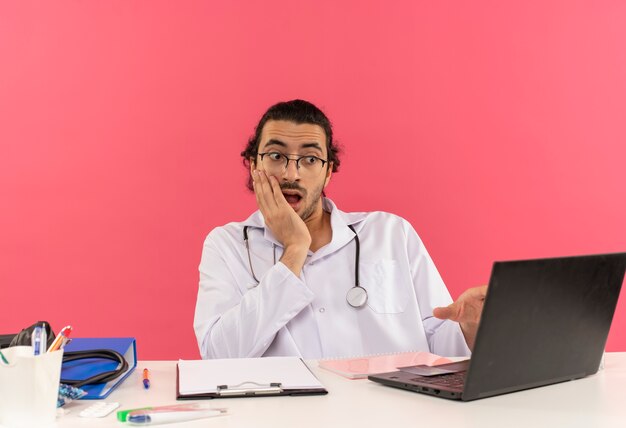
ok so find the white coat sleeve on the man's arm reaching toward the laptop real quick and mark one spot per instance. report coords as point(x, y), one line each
point(444, 337)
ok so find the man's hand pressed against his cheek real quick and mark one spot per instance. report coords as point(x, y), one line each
point(282, 220)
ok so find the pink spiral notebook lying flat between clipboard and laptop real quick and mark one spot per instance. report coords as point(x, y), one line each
point(360, 368)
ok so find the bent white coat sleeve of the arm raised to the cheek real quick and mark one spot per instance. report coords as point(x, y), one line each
point(231, 324)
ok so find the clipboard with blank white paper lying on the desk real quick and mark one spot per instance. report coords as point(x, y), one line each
point(245, 377)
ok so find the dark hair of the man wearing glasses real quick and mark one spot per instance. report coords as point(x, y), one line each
point(297, 111)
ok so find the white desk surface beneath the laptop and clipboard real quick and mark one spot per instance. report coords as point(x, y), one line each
point(596, 401)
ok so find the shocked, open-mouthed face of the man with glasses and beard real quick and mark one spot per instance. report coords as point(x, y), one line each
point(303, 186)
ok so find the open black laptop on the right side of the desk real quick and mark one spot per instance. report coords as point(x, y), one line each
point(544, 321)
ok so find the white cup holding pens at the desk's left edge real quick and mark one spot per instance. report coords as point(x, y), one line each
point(29, 387)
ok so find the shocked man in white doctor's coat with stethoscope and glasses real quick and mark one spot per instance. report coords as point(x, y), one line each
point(284, 281)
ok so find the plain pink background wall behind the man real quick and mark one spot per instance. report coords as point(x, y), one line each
point(497, 128)
